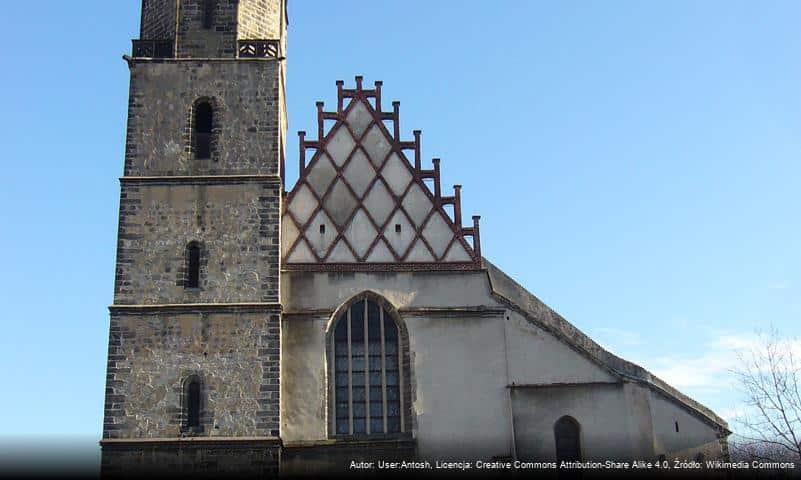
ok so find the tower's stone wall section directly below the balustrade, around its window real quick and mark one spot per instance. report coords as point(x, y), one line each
point(246, 101)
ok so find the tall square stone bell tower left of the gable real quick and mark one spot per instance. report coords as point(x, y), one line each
point(194, 344)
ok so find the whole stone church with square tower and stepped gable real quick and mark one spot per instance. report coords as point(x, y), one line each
point(261, 326)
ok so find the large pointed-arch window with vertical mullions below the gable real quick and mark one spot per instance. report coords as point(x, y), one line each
point(368, 393)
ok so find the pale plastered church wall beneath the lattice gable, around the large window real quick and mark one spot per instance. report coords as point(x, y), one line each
point(471, 370)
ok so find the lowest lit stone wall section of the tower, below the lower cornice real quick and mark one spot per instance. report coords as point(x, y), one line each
point(235, 354)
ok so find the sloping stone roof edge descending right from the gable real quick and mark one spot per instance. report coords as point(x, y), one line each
point(511, 293)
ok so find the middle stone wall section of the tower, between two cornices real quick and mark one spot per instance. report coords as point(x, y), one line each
point(236, 226)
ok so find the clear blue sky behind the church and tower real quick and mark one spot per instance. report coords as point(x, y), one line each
point(636, 166)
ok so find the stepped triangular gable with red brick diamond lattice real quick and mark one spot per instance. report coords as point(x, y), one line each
point(359, 204)
